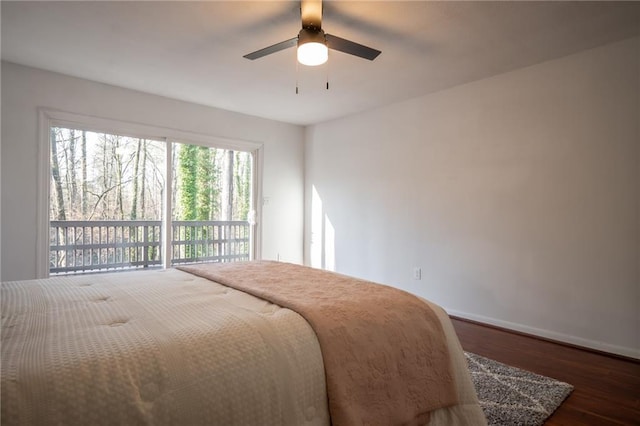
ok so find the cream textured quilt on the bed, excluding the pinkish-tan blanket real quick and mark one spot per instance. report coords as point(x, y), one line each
point(169, 347)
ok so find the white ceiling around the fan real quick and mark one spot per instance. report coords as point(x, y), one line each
point(193, 51)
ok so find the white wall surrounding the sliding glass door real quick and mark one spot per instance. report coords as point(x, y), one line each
point(25, 89)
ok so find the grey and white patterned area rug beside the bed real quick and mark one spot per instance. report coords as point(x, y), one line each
point(510, 396)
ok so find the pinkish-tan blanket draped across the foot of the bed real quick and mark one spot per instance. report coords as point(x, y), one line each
point(385, 355)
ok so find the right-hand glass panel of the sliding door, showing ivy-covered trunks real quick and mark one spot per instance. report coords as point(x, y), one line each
point(211, 204)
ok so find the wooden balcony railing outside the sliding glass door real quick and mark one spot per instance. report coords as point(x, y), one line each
point(91, 246)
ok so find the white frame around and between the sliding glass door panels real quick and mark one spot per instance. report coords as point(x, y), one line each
point(48, 118)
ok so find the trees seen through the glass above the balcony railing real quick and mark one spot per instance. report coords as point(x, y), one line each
point(104, 176)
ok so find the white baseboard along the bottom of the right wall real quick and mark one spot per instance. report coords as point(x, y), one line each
point(551, 335)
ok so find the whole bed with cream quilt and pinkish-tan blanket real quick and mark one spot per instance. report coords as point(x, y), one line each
point(248, 343)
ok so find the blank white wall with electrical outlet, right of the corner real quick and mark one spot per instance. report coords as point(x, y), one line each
point(517, 195)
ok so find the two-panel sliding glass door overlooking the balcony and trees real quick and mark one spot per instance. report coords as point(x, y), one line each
point(121, 202)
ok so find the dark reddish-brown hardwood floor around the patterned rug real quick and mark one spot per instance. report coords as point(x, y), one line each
point(607, 388)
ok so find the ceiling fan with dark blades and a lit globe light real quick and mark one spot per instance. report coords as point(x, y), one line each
point(313, 43)
